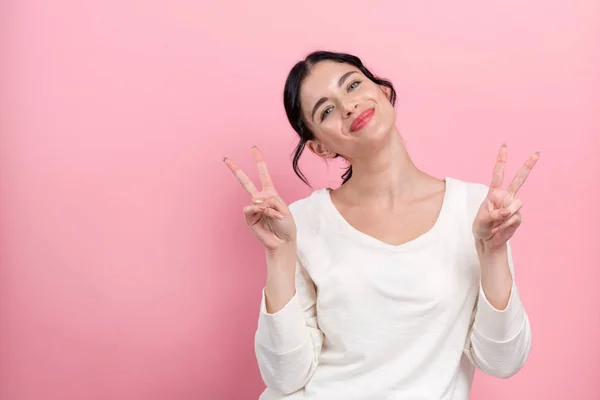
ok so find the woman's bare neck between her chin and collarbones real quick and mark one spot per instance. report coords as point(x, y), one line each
point(389, 175)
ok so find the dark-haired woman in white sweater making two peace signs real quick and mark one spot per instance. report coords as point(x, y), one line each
point(396, 285)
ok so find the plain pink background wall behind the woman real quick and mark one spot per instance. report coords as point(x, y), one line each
point(126, 269)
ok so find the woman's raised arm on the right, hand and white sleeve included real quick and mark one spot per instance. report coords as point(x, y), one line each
point(500, 338)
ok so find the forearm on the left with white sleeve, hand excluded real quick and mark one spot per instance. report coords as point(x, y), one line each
point(288, 340)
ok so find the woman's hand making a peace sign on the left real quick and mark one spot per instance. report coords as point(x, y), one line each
point(268, 216)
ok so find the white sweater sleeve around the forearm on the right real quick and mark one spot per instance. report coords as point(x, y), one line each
point(500, 340)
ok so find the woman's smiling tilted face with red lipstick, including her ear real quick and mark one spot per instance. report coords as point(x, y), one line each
point(348, 113)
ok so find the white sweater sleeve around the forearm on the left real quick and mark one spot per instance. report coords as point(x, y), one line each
point(288, 342)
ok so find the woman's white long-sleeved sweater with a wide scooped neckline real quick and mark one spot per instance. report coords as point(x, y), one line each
point(374, 321)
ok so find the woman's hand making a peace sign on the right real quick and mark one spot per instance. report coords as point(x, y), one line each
point(498, 217)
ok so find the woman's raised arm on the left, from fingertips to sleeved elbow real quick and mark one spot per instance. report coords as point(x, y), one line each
point(288, 340)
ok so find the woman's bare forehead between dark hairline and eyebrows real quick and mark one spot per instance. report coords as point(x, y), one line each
point(322, 79)
